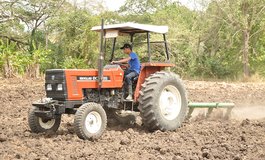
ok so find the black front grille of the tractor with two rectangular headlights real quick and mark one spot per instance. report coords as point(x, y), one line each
point(55, 84)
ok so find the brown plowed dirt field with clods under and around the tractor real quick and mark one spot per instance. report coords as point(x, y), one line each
point(242, 137)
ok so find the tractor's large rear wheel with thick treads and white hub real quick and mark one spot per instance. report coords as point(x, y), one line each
point(163, 101)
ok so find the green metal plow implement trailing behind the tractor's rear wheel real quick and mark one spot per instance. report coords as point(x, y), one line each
point(210, 106)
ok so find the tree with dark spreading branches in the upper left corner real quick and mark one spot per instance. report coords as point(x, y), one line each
point(22, 23)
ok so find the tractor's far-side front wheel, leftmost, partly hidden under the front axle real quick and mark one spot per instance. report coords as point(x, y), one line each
point(39, 125)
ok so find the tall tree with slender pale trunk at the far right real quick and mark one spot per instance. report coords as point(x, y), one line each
point(246, 18)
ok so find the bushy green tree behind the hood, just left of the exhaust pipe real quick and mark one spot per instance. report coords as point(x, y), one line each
point(73, 39)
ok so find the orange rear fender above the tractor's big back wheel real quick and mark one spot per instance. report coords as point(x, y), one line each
point(146, 70)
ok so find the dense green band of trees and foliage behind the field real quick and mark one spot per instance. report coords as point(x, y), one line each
point(223, 39)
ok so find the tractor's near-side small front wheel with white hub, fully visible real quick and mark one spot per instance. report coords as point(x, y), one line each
point(90, 121)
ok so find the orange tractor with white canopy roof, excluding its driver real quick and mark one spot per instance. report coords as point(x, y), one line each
point(92, 94)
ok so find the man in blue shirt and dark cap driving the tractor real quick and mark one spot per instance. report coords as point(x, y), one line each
point(133, 70)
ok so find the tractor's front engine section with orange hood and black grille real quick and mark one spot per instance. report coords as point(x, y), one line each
point(72, 88)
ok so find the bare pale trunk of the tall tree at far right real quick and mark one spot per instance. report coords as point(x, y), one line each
point(246, 53)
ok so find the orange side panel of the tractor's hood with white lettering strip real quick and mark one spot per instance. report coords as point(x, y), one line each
point(77, 80)
